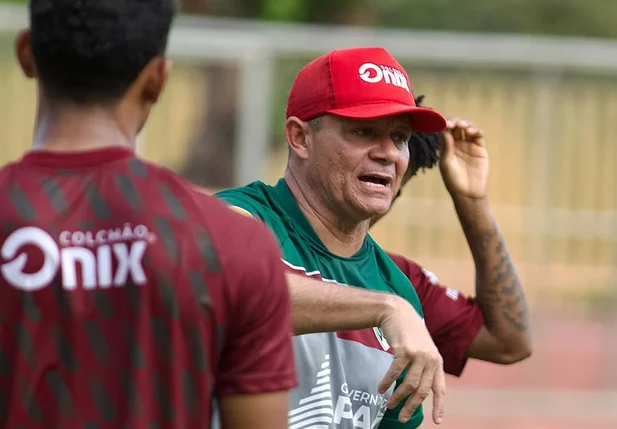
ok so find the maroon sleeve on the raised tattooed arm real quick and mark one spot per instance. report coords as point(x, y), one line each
point(452, 319)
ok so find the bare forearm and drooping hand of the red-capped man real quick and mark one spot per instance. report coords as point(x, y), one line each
point(326, 307)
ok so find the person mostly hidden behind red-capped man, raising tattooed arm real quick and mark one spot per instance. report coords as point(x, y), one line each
point(493, 326)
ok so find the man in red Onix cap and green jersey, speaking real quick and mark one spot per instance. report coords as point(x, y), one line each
point(350, 115)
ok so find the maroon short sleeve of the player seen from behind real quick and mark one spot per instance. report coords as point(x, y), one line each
point(258, 352)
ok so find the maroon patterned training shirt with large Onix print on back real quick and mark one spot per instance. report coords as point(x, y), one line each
point(128, 299)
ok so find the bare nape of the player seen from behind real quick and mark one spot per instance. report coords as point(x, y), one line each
point(70, 129)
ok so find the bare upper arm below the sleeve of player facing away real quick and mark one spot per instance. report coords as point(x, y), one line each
point(262, 411)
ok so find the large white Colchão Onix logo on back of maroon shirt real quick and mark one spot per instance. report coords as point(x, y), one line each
point(91, 259)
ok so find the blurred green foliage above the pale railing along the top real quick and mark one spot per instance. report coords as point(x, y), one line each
point(590, 18)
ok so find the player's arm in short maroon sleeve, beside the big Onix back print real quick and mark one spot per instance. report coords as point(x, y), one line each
point(256, 368)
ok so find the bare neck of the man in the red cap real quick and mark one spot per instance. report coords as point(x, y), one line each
point(341, 238)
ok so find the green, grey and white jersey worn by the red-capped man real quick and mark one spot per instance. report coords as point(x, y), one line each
point(338, 372)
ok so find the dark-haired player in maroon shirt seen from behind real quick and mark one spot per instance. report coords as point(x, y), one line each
point(128, 299)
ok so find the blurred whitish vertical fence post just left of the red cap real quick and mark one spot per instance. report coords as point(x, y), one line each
point(254, 114)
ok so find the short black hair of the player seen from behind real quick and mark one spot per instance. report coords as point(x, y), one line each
point(91, 51)
